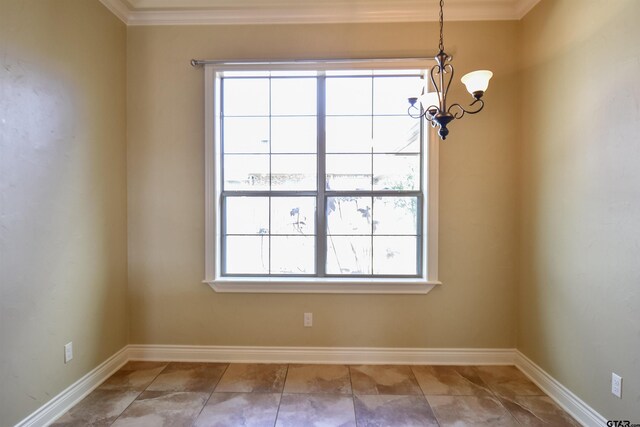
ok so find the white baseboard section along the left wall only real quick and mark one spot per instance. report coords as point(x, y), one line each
point(61, 403)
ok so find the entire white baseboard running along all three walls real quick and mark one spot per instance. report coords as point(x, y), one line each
point(571, 403)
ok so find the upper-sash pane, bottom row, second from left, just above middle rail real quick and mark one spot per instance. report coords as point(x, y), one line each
point(293, 172)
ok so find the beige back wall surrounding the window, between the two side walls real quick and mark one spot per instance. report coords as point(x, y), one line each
point(169, 305)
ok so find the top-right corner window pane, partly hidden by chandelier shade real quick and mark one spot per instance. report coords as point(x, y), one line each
point(390, 94)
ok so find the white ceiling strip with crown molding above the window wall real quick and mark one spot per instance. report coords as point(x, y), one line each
point(194, 12)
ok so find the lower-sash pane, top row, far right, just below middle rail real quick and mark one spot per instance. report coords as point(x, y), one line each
point(395, 215)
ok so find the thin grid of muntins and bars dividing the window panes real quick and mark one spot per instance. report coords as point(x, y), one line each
point(321, 194)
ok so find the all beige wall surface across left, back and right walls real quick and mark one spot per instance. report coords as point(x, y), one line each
point(540, 189)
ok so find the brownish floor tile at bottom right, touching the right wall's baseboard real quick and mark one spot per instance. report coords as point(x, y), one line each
point(538, 411)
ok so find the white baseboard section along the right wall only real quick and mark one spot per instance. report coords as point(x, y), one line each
point(567, 400)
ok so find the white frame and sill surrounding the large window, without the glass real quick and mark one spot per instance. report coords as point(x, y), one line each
point(213, 73)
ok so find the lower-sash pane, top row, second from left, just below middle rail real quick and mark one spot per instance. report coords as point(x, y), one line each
point(293, 215)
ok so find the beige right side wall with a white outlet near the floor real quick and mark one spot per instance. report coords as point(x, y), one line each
point(579, 297)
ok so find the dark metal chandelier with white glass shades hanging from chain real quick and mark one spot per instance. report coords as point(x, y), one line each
point(433, 105)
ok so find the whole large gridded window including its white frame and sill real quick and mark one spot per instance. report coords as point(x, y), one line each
point(318, 180)
